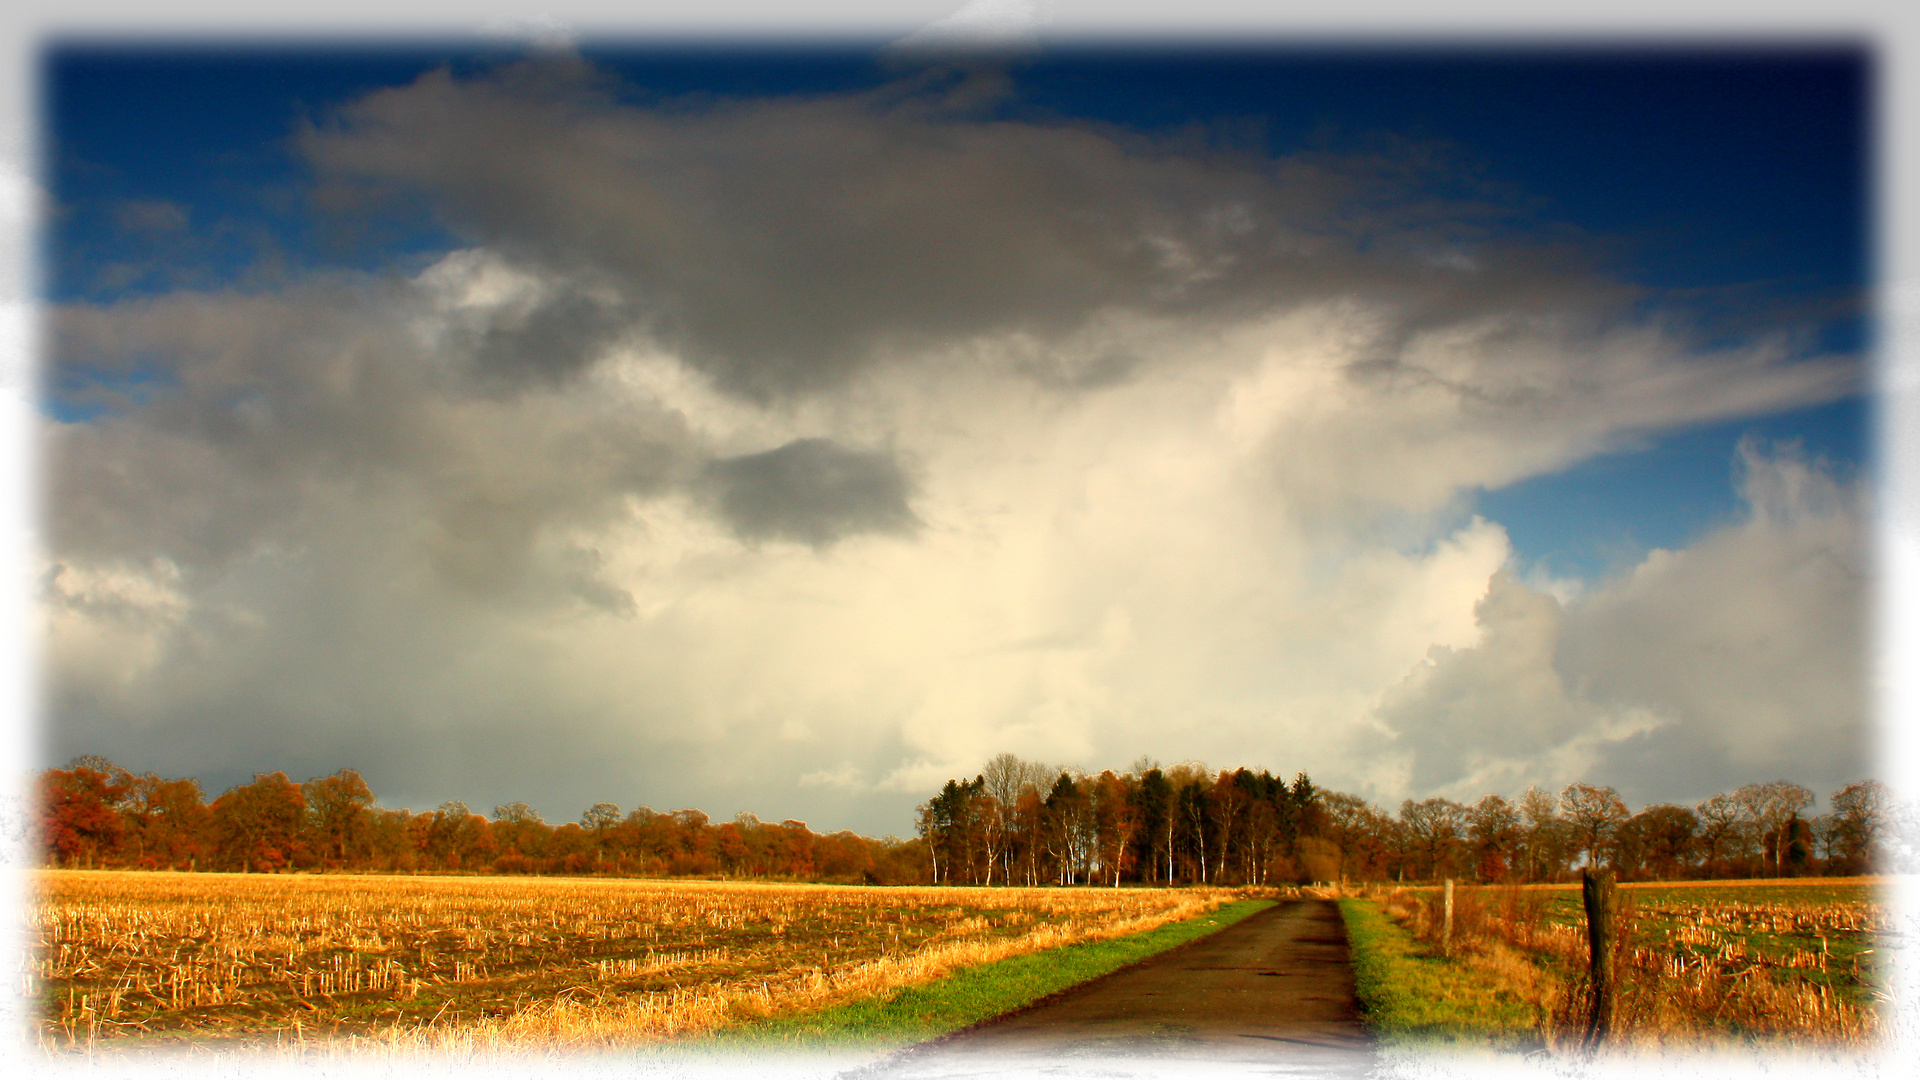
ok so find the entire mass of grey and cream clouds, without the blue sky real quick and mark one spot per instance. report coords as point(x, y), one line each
point(873, 435)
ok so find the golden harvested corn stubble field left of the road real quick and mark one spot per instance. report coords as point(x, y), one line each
point(164, 958)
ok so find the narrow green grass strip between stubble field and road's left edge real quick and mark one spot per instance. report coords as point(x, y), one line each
point(917, 1014)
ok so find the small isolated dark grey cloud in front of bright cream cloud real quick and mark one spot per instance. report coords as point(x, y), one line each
point(813, 491)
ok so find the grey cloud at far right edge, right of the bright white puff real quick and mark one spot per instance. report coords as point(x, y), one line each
point(1754, 641)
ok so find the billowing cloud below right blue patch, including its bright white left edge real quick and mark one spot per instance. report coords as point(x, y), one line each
point(1702, 670)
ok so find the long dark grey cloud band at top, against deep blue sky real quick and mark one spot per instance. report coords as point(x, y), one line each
point(790, 243)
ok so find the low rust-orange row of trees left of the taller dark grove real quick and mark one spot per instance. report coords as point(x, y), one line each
point(95, 814)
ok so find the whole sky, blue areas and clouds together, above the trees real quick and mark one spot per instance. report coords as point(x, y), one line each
point(788, 430)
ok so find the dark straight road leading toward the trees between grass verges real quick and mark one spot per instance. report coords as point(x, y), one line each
point(1270, 996)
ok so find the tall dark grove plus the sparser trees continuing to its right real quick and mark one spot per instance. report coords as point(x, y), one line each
point(1026, 823)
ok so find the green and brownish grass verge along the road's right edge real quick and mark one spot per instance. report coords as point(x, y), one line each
point(1410, 996)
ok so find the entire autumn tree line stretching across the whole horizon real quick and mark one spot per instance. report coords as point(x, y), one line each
point(1017, 823)
